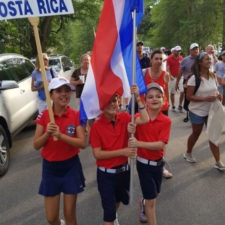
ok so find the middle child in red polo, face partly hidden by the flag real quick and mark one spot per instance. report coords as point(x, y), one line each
point(109, 140)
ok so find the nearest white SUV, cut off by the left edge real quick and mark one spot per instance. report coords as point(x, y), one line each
point(17, 102)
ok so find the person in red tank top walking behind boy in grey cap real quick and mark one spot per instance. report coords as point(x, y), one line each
point(157, 75)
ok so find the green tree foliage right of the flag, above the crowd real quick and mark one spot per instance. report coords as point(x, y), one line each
point(185, 21)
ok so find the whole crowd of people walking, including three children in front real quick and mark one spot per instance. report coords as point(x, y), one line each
point(200, 80)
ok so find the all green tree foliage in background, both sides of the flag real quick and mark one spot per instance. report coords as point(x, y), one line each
point(166, 23)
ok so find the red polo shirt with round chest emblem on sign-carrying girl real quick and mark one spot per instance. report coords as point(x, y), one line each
point(59, 150)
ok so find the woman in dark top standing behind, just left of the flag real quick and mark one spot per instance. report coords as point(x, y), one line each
point(79, 76)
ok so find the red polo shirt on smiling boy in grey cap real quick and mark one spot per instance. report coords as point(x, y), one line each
point(155, 130)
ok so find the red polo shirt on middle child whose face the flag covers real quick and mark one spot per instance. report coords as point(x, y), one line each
point(110, 137)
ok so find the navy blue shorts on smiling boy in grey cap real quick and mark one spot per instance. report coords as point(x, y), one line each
point(150, 178)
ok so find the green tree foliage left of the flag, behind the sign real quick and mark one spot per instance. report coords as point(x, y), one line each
point(67, 34)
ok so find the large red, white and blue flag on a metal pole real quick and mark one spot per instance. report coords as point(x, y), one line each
point(111, 61)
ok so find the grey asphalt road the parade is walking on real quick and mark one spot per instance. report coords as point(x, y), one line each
point(194, 196)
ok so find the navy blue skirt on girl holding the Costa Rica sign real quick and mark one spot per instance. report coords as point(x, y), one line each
point(62, 176)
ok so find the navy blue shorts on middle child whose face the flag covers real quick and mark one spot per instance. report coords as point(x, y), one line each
point(113, 188)
